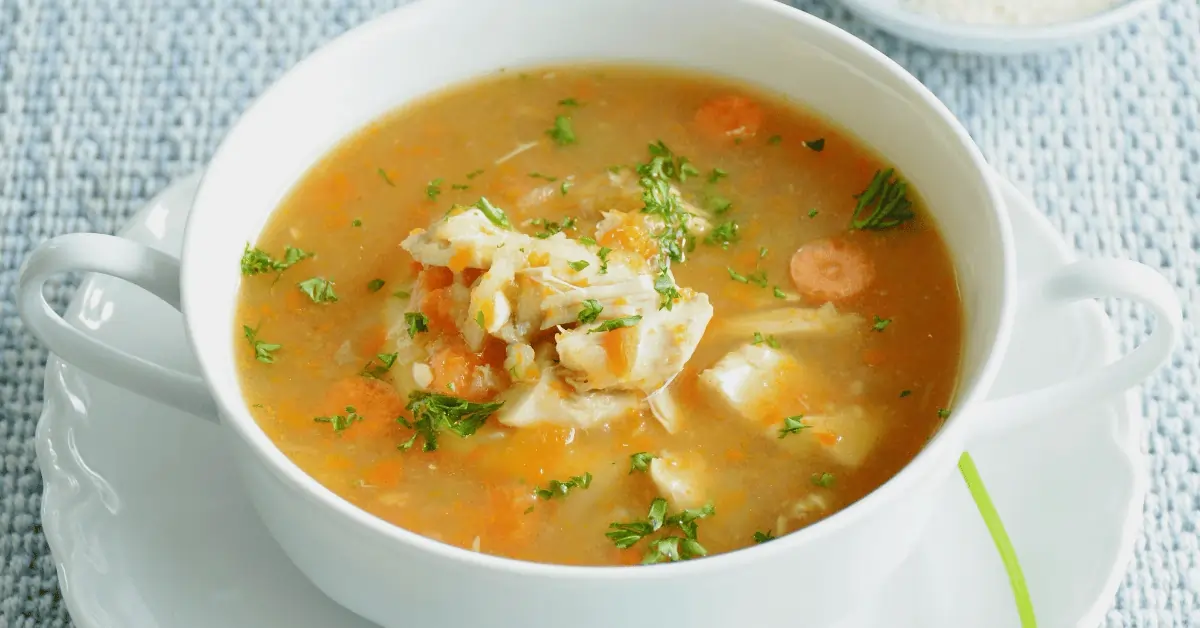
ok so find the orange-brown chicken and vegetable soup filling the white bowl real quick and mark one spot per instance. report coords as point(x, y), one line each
point(601, 316)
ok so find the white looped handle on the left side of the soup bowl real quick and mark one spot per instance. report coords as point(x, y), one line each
point(148, 268)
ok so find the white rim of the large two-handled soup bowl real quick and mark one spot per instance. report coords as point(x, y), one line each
point(950, 438)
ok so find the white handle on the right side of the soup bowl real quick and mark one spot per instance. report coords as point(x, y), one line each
point(1090, 279)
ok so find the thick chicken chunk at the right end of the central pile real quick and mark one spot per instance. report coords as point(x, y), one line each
point(644, 357)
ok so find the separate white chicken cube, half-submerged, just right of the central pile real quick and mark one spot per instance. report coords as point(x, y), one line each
point(751, 380)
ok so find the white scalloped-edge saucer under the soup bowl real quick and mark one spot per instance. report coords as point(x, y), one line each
point(149, 527)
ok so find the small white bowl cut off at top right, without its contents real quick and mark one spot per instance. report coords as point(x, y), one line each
point(993, 39)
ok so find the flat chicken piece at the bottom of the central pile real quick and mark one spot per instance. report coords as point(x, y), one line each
point(553, 402)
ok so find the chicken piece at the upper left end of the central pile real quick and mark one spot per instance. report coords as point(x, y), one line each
point(467, 240)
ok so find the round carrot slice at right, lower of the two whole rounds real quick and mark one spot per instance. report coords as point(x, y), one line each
point(831, 271)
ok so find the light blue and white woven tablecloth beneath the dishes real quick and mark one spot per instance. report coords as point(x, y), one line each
point(104, 103)
